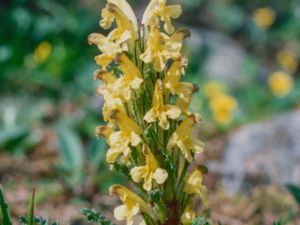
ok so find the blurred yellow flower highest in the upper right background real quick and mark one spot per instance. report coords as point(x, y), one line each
point(264, 17)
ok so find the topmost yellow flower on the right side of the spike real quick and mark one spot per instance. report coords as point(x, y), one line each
point(158, 9)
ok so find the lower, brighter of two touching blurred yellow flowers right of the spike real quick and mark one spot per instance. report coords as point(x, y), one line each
point(222, 107)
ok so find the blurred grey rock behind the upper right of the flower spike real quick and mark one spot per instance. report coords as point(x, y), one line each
point(225, 57)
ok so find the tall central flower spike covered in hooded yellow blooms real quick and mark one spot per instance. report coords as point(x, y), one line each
point(149, 126)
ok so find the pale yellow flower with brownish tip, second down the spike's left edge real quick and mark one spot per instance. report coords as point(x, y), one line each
point(109, 46)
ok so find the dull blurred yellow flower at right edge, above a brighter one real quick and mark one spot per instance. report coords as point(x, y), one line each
point(287, 59)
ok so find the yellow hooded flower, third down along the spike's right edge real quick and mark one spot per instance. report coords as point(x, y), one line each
point(172, 81)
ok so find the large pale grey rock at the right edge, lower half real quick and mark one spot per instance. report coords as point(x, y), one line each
point(263, 153)
